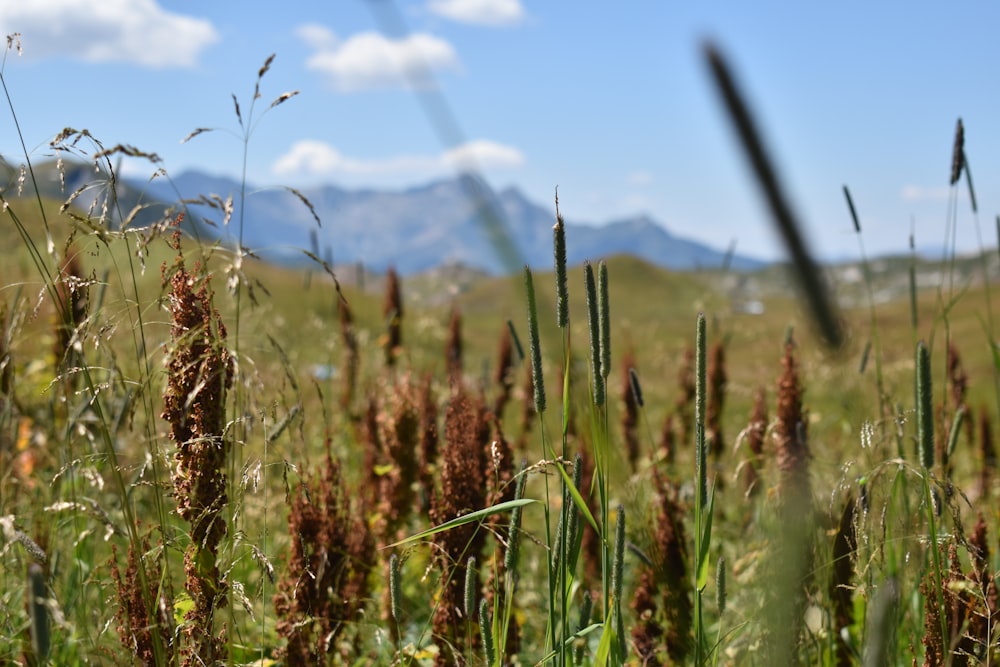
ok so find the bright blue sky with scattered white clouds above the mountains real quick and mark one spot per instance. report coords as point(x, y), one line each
point(611, 103)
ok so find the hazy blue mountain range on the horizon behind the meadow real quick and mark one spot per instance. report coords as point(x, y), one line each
point(460, 220)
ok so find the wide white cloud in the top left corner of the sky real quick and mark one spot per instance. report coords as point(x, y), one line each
point(131, 31)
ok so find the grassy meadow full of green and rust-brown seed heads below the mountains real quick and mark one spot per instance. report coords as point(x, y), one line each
point(209, 460)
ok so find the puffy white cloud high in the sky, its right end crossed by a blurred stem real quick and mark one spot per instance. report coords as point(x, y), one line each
point(369, 60)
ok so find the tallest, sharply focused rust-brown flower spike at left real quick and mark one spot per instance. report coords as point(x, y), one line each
point(199, 371)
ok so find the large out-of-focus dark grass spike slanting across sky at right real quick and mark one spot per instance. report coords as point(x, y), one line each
point(815, 289)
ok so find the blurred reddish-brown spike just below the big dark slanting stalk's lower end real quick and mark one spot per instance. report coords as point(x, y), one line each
point(790, 437)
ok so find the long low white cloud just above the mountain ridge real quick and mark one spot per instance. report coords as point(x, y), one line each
point(317, 158)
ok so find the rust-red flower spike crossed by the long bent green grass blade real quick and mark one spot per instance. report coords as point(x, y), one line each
point(463, 490)
